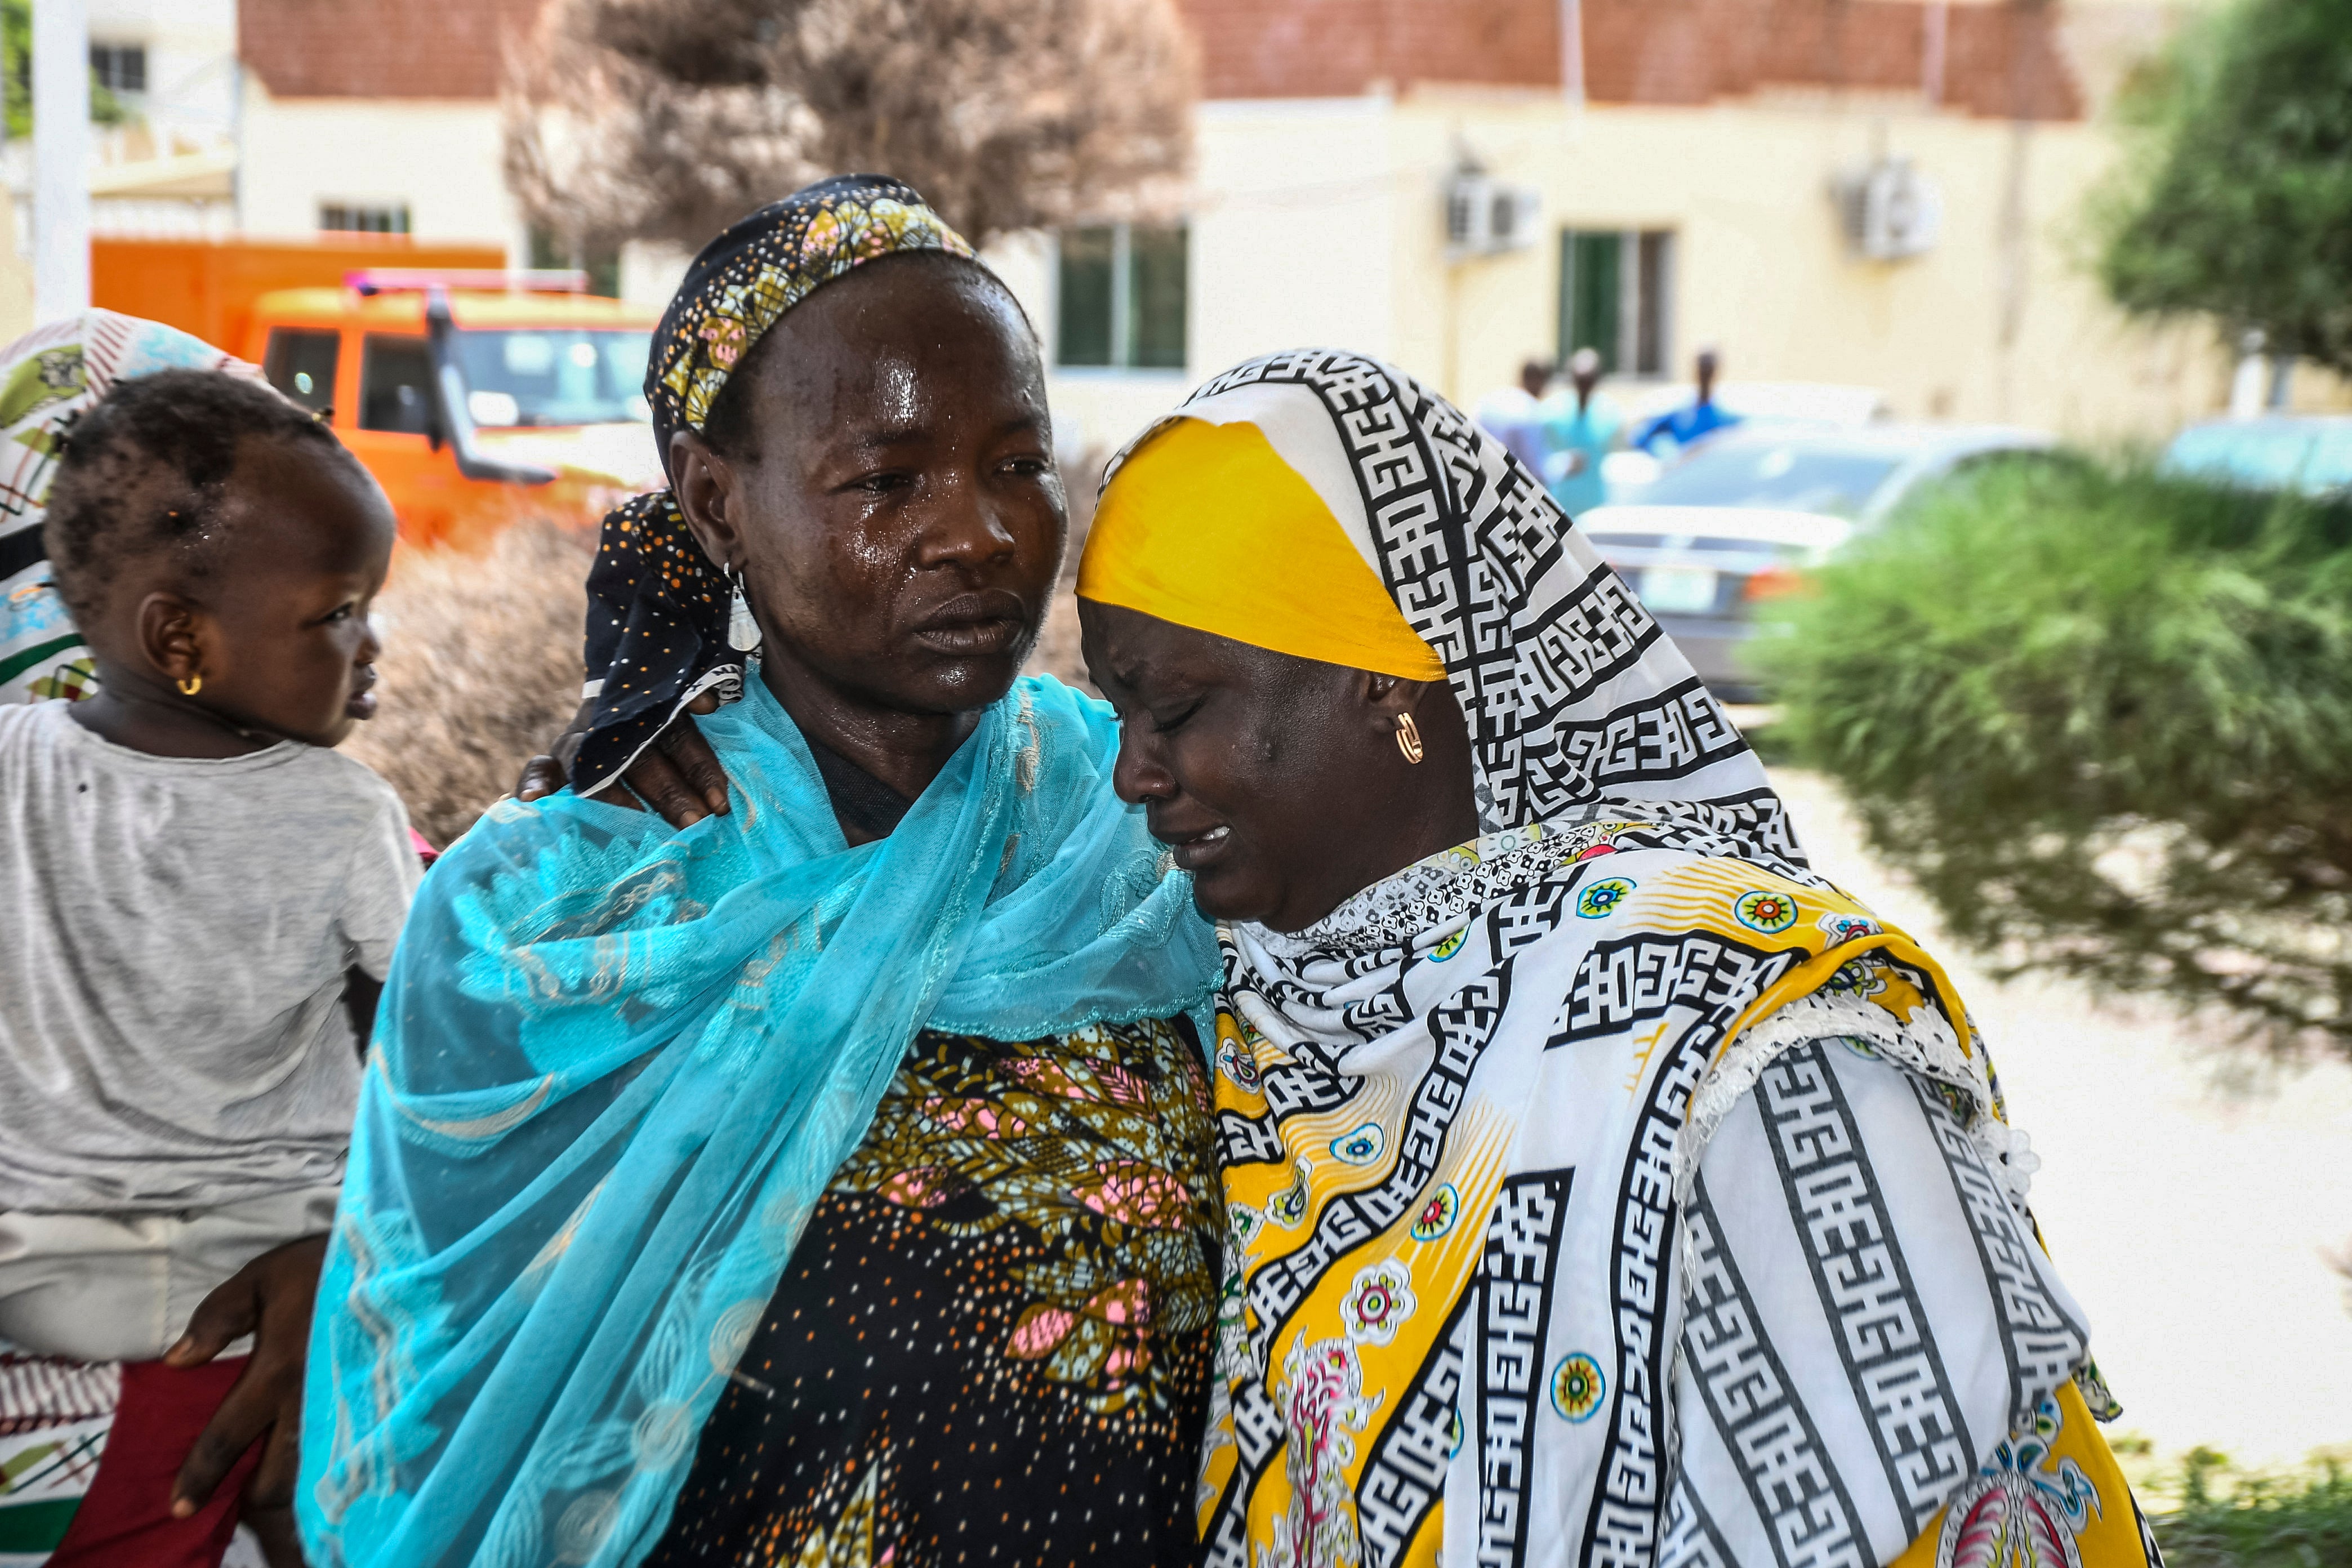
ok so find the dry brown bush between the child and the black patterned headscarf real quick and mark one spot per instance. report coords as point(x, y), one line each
point(481, 669)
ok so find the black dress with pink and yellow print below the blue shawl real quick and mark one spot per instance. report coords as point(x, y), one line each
point(994, 1341)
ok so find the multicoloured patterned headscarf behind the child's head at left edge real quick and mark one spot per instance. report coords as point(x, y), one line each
point(46, 382)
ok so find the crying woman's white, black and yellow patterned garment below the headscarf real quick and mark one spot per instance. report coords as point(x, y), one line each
point(1431, 1322)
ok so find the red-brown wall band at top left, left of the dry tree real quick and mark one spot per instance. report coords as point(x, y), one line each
point(380, 48)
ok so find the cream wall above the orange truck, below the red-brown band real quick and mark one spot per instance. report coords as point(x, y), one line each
point(441, 159)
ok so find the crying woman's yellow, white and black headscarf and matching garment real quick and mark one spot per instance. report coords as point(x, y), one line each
point(1610, 1188)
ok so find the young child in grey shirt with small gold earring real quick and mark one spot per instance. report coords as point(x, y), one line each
point(201, 902)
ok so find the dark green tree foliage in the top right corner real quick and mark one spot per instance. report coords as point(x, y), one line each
point(2240, 199)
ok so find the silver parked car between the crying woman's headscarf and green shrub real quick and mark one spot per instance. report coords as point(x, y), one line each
point(1746, 514)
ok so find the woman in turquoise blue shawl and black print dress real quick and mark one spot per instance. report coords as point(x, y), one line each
point(827, 1181)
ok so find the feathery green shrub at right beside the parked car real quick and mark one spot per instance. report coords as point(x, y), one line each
point(2106, 721)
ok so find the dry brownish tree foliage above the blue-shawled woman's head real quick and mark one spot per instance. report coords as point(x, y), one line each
point(671, 119)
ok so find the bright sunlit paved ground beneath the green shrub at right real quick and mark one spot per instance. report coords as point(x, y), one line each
point(2193, 1200)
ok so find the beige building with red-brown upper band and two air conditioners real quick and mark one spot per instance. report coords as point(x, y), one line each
point(1873, 194)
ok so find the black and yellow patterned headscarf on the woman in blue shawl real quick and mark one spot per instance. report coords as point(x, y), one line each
point(657, 605)
